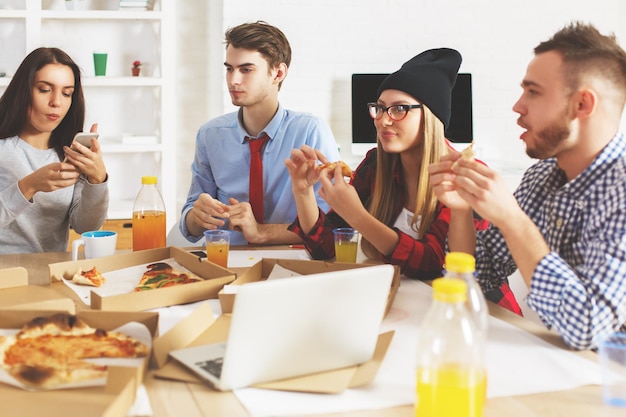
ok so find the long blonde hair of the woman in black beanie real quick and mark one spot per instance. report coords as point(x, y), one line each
point(383, 200)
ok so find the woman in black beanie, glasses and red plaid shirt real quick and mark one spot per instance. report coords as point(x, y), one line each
point(389, 199)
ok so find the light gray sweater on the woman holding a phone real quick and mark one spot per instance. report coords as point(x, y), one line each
point(42, 225)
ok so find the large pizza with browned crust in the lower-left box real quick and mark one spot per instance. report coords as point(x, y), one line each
point(48, 352)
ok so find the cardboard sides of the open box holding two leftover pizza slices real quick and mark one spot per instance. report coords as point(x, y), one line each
point(215, 277)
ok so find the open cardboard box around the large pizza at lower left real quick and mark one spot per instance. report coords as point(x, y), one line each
point(113, 399)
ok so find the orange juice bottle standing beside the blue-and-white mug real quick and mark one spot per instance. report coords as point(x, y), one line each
point(149, 216)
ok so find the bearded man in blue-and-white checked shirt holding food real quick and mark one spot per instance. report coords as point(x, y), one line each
point(565, 226)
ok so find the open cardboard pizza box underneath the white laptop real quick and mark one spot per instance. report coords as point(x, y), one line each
point(201, 328)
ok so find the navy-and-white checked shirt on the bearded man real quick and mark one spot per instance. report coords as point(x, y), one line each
point(579, 288)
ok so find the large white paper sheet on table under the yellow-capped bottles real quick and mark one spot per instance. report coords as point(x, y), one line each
point(518, 363)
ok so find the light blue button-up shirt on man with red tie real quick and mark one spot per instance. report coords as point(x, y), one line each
point(221, 166)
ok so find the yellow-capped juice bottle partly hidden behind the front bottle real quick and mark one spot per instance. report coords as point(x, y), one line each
point(462, 266)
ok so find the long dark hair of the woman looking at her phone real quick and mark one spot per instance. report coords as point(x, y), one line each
point(17, 99)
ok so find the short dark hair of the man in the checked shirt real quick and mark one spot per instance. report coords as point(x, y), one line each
point(584, 49)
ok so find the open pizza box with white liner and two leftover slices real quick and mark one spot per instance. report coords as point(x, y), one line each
point(129, 267)
